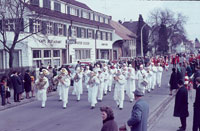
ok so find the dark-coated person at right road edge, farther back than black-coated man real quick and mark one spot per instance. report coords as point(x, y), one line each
point(173, 81)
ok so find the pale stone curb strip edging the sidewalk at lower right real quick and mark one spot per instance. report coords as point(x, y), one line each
point(154, 116)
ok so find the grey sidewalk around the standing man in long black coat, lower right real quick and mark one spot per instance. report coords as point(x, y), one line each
point(166, 121)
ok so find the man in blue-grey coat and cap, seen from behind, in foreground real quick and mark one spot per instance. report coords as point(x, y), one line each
point(140, 113)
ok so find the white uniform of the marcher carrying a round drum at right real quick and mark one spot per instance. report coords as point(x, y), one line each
point(141, 75)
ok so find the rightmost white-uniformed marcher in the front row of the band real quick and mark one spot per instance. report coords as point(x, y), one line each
point(119, 91)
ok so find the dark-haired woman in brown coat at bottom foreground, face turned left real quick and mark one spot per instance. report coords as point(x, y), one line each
point(108, 119)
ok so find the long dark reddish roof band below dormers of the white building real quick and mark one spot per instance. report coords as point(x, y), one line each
point(56, 14)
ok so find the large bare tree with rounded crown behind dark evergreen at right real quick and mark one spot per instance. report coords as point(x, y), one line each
point(174, 24)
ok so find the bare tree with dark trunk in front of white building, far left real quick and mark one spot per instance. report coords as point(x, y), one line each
point(12, 24)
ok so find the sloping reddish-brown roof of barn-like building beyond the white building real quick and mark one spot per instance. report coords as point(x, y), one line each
point(122, 31)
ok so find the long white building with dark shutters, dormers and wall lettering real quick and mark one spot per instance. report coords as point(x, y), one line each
point(66, 31)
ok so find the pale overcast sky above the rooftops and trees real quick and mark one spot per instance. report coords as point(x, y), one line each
point(127, 10)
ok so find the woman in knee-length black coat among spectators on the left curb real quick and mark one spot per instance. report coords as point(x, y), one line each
point(27, 83)
